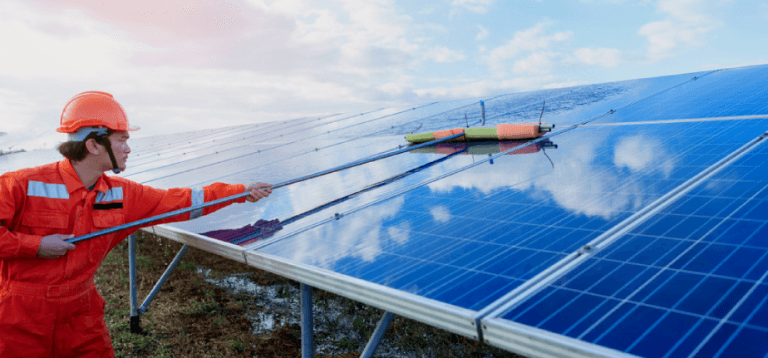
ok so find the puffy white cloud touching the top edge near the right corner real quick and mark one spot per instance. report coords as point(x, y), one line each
point(687, 24)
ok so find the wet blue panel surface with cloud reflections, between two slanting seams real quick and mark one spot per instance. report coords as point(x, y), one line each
point(471, 237)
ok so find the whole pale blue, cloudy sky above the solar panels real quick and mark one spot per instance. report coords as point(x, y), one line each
point(180, 65)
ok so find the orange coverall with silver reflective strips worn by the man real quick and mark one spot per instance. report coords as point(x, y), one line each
point(50, 307)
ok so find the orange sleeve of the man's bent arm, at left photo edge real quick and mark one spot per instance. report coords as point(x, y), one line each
point(14, 245)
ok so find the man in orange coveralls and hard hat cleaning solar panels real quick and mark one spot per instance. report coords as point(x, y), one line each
point(49, 305)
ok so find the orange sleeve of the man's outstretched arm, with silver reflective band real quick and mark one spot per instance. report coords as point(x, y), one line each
point(146, 201)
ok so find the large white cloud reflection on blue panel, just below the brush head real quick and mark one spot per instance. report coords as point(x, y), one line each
point(585, 179)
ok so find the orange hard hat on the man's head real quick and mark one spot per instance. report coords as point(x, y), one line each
point(93, 109)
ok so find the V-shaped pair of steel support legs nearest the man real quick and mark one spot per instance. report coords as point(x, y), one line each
point(136, 310)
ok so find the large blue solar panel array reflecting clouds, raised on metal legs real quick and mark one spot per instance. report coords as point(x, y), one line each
point(571, 245)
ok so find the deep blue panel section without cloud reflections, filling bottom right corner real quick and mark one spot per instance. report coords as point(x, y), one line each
point(689, 281)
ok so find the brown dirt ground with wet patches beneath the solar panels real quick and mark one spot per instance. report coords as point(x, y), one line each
point(196, 315)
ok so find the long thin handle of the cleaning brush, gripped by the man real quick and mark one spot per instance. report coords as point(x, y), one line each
point(244, 194)
